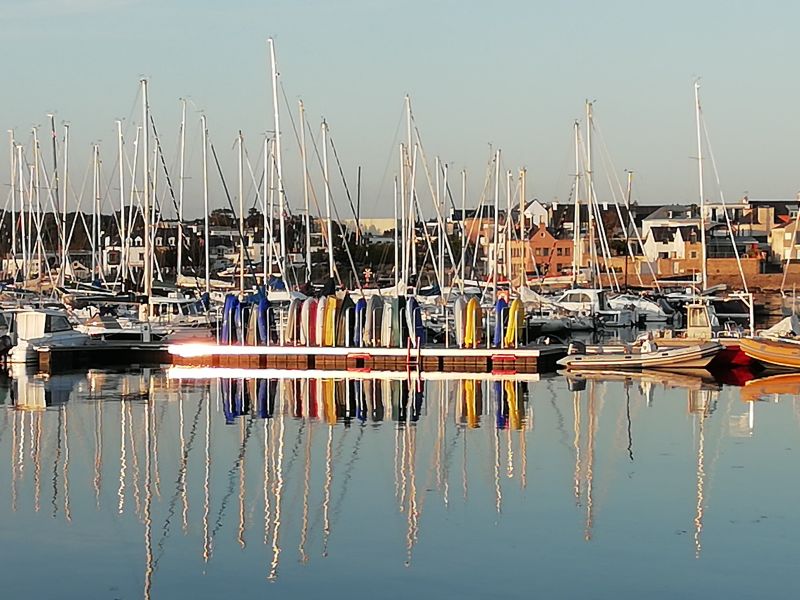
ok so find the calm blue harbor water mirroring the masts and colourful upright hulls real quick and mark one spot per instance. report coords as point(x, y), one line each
point(142, 485)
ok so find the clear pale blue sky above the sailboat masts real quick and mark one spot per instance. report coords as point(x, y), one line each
point(511, 73)
